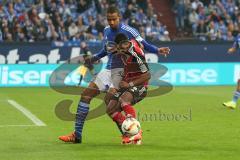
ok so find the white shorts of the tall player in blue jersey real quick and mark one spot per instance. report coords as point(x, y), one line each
point(108, 79)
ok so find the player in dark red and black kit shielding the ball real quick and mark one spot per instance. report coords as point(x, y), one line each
point(133, 87)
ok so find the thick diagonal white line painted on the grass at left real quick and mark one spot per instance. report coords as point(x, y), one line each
point(27, 113)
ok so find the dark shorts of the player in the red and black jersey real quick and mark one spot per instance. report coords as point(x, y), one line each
point(138, 93)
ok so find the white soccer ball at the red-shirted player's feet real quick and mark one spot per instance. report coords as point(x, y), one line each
point(131, 126)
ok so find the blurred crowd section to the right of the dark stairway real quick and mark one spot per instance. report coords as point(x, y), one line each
point(208, 19)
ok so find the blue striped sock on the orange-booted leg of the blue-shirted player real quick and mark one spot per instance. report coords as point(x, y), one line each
point(81, 115)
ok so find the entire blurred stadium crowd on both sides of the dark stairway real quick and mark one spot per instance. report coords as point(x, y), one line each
point(77, 20)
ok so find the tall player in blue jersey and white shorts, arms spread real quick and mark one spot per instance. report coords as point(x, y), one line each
point(109, 78)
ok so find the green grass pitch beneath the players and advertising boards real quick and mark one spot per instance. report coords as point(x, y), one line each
point(201, 129)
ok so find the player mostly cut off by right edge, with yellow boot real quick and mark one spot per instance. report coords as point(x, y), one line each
point(233, 103)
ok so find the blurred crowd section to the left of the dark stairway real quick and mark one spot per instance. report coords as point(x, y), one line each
point(76, 20)
